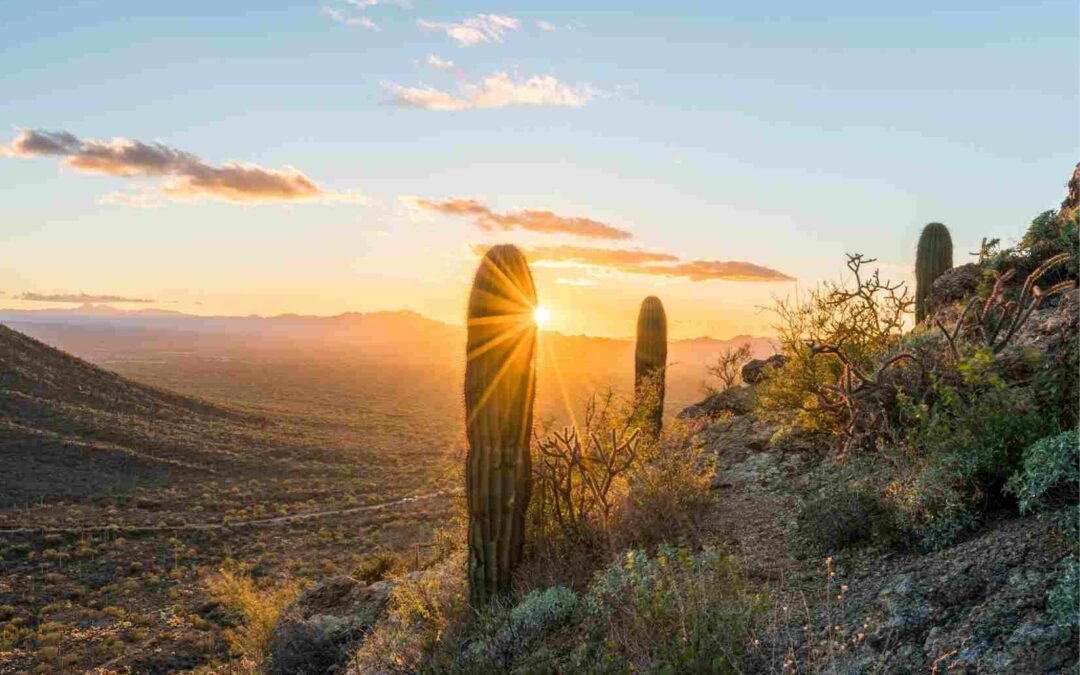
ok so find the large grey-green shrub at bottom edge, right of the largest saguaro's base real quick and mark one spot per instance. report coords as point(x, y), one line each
point(679, 612)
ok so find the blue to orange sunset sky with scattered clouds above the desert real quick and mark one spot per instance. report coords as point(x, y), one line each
point(236, 158)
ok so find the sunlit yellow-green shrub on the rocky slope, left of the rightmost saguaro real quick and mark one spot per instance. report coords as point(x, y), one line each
point(863, 314)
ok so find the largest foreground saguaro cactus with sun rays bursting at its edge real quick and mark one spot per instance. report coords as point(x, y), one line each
point(501, 389)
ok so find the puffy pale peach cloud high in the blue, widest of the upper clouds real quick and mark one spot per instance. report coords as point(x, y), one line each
point(497, 91)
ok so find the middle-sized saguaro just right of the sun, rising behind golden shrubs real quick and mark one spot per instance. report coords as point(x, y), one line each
point(651, 363)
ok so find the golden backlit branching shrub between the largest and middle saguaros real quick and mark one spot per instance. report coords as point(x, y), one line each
point(607, 487)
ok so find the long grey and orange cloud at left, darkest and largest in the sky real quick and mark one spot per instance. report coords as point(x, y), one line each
point(191, 178)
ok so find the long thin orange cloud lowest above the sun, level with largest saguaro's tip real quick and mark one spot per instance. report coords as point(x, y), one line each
point(637, 262)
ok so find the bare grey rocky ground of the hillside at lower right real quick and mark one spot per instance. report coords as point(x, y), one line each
point(980, 606)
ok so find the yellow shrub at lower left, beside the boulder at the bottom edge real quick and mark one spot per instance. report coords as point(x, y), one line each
point(258, 606)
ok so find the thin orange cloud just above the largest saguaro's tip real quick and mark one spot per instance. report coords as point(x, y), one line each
point(533, 221)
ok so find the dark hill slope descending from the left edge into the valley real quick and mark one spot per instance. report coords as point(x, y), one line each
point(72, 430)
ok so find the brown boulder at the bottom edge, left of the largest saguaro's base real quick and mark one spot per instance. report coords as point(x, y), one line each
point(314, 636)
